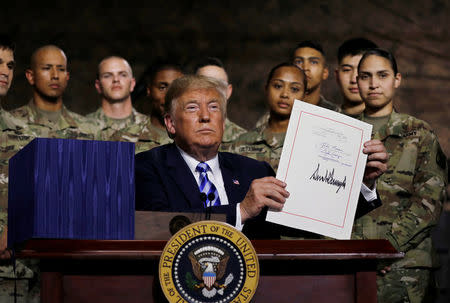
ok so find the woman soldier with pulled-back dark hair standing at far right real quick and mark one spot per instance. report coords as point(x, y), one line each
point(412, 189)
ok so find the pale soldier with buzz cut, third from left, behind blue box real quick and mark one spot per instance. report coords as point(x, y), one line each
point(116, 119)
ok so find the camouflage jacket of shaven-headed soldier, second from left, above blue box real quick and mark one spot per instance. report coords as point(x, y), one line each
point(69, 126)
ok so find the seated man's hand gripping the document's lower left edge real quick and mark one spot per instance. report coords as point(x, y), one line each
point(267, 191)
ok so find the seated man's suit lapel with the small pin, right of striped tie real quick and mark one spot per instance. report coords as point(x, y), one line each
point(231, 180)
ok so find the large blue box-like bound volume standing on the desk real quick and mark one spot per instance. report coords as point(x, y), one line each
point(71, 189)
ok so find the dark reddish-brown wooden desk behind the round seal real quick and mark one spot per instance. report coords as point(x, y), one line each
point(127, 271)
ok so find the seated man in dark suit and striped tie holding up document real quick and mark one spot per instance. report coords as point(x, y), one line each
point(168, 178)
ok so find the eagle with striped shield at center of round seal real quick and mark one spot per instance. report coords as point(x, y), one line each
point(209, 265)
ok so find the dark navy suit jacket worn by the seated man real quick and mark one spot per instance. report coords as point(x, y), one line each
point(164, 182)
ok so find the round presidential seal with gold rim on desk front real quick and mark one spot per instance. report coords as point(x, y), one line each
point(209, 261)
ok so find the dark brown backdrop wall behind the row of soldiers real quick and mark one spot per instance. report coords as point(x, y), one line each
point(249, 36)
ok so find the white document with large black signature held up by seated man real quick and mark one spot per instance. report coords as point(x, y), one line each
point(323, 165)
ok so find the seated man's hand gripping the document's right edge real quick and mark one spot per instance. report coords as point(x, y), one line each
point(377, 158)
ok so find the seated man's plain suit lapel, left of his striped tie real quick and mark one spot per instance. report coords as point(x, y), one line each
point(183, 177)
